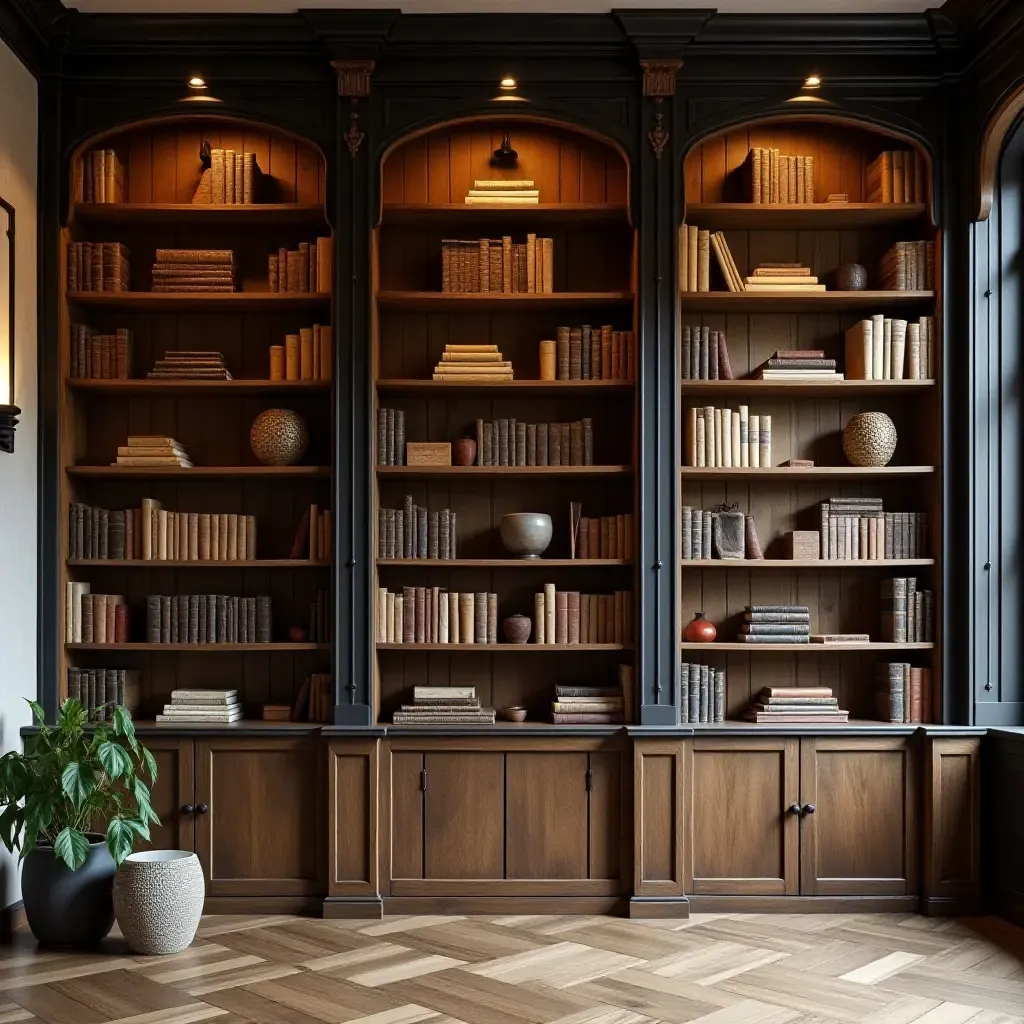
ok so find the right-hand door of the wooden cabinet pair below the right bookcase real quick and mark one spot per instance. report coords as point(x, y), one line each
point(862, 838)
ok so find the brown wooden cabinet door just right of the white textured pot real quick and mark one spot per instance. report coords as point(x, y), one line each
point(264, 831)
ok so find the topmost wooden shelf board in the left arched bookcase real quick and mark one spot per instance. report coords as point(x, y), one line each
point(252, 216)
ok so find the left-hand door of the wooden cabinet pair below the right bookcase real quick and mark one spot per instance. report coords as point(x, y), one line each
point(743, 839)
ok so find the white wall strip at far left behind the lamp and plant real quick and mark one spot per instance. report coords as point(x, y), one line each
point(19, 138)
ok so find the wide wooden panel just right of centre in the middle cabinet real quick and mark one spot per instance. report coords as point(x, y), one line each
point(547, 828)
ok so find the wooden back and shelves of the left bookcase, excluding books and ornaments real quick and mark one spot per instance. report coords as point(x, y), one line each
point(160, 168)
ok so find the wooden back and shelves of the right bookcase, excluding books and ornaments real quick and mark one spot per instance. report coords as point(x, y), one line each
point(808, 416)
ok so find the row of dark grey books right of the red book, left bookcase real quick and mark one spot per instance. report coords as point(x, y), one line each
point(197, 619)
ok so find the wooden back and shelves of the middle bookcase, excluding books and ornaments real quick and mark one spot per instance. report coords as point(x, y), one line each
point(584, 208)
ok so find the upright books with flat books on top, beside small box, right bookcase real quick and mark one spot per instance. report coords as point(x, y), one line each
point(859, 529)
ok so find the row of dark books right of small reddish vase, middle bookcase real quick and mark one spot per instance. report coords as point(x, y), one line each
point(513, 443)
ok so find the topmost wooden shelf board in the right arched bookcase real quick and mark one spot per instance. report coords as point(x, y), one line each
point(814, 217)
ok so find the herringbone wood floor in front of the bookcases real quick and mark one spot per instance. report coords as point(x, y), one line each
point(714, 969)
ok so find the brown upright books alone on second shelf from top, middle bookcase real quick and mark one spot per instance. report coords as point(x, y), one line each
point(499, 266)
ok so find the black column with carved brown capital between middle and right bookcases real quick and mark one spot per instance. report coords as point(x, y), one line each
point(659, 400)
